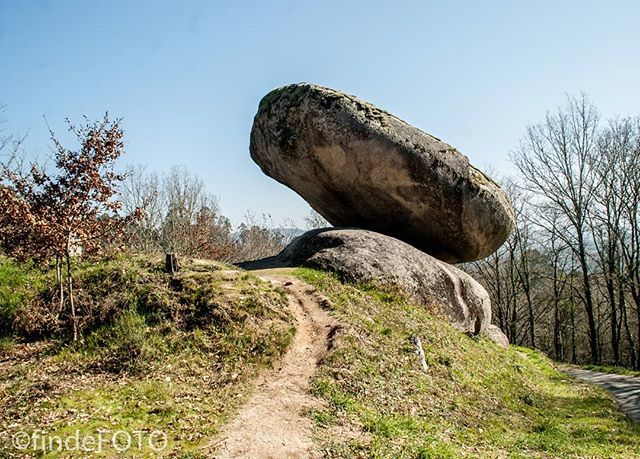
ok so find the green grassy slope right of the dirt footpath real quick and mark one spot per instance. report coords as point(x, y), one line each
point(476, 400)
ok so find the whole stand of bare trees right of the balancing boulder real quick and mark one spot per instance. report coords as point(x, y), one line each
point(567, 280)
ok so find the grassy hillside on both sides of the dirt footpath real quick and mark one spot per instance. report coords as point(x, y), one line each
point(180, 355)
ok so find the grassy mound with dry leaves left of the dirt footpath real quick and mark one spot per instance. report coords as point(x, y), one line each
point(174, 354)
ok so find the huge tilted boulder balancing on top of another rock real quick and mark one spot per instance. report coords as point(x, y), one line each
point(360, 166)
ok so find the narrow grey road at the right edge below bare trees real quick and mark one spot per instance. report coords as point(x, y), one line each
point(625, 389)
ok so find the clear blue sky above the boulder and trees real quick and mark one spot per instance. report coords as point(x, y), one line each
point(187, 76)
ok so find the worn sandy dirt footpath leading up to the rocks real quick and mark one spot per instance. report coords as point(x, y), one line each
point(274, 422)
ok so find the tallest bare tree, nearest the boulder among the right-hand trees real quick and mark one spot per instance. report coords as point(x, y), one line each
point(554, 160)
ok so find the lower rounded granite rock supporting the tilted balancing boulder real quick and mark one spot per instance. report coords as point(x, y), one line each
point(365, 256)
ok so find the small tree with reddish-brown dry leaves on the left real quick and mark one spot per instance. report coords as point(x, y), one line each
point(68, 211)
